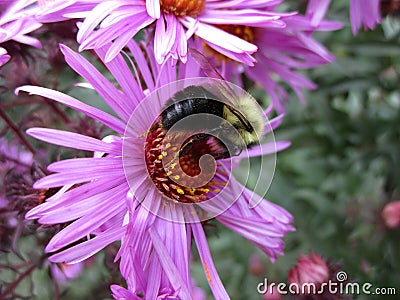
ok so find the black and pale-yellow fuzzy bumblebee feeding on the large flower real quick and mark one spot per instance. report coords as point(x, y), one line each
point(240, 121)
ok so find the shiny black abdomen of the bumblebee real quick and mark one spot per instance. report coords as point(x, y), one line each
point(193, 100)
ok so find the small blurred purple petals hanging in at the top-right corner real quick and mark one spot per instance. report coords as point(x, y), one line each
point(364, 14)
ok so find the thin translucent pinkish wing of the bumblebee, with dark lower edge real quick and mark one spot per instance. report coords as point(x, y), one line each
point(226, 90)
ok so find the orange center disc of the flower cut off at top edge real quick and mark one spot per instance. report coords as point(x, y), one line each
point(179, 8)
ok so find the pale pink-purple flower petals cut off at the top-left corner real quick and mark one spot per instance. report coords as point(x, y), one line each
point(16, 21)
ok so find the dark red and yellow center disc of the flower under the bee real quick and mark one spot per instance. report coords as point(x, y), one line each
point(181, 175)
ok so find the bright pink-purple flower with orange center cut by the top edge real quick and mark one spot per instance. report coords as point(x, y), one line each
point(174, 23)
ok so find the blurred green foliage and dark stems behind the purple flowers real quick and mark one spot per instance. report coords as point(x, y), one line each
point(342, 169)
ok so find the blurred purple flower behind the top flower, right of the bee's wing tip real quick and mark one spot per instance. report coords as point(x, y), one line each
point(282, 51)
